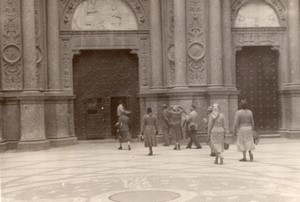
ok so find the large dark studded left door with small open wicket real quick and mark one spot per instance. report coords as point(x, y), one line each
point(101, 79)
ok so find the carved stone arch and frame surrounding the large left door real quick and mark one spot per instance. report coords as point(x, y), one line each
point(74, 42)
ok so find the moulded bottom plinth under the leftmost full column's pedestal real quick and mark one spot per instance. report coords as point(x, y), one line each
point(33, 145)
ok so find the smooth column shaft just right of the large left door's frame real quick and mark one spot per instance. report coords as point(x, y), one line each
point(156, 44)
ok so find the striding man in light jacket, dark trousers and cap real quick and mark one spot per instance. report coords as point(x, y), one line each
point(192, 126)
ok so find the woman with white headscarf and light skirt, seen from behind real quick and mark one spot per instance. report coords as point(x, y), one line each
point(216, 132)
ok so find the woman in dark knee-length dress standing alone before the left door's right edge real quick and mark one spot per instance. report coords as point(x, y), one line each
point(149, 130)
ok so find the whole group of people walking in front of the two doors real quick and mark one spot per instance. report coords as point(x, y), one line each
point(172, 126)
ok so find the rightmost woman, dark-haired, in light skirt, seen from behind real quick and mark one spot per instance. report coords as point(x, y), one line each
point(243, 129)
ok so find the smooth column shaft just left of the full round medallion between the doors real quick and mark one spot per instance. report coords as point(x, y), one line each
point(180, 43)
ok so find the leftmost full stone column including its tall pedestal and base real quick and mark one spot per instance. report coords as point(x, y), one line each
point(31, 101)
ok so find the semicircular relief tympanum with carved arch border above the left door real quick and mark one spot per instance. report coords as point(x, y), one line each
point(83, 15)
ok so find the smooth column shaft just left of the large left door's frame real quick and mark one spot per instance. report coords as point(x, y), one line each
point(53, 45)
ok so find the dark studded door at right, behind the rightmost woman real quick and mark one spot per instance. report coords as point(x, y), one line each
point(257, 79)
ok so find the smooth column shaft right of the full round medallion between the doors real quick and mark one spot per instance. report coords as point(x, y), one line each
point(215, 41)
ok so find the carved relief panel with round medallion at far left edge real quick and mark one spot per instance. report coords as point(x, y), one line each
point(11, 45)
